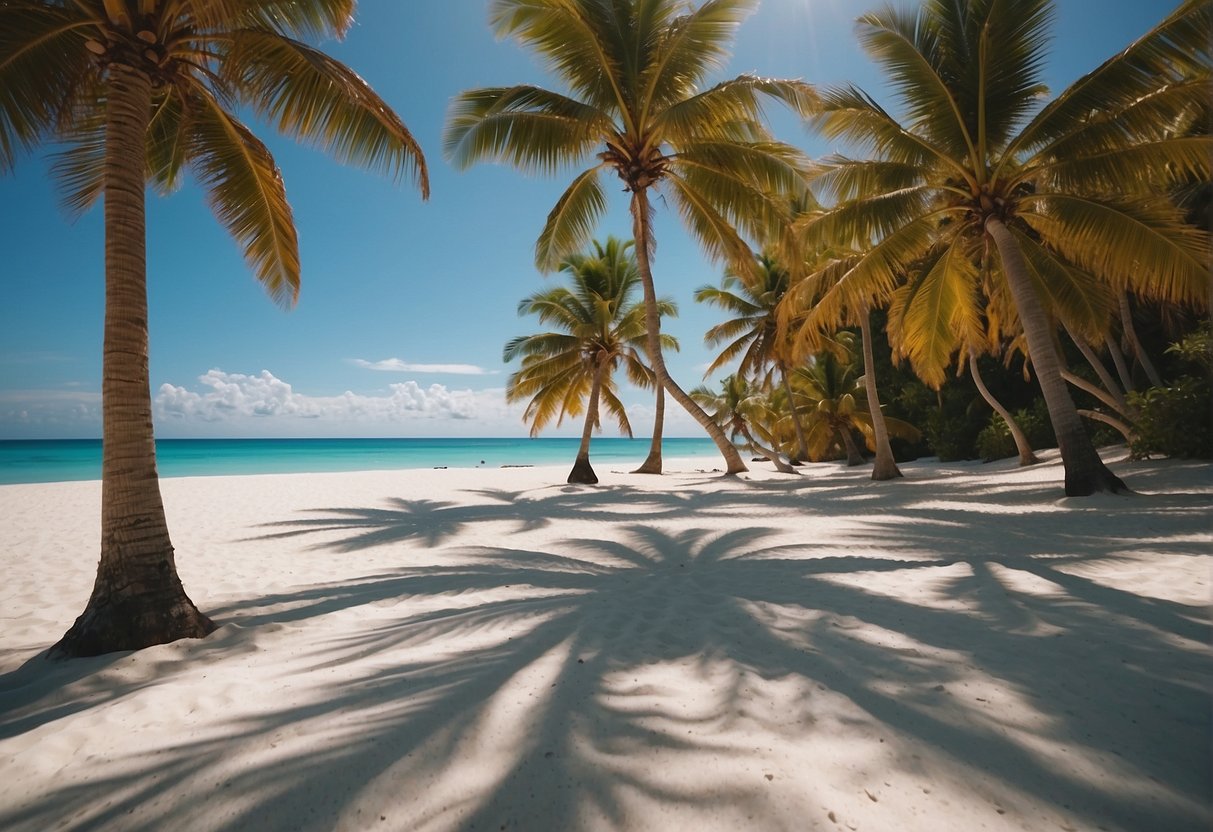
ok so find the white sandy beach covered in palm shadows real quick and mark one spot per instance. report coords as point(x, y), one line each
point(472, 649)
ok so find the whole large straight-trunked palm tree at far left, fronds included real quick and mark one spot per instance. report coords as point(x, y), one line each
point(140, 92)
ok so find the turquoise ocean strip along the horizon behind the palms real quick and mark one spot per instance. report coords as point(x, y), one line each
point(59, 460)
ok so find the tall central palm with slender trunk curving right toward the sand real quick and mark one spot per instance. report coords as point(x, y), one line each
point(636, 107)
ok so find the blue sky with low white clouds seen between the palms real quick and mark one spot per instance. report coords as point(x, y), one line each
point(406, 305)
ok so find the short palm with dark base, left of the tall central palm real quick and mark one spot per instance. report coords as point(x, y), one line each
point(601, 327)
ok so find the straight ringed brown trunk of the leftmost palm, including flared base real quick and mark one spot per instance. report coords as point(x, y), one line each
point(138, 600)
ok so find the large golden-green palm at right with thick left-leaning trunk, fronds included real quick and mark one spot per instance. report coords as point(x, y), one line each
point(1074, 190)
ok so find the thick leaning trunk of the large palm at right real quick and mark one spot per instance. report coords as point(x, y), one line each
point(1085, 472)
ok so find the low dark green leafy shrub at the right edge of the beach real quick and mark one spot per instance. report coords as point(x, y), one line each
point(1176, 420)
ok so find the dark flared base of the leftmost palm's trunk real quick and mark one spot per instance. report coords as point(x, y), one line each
point(132, 623)
